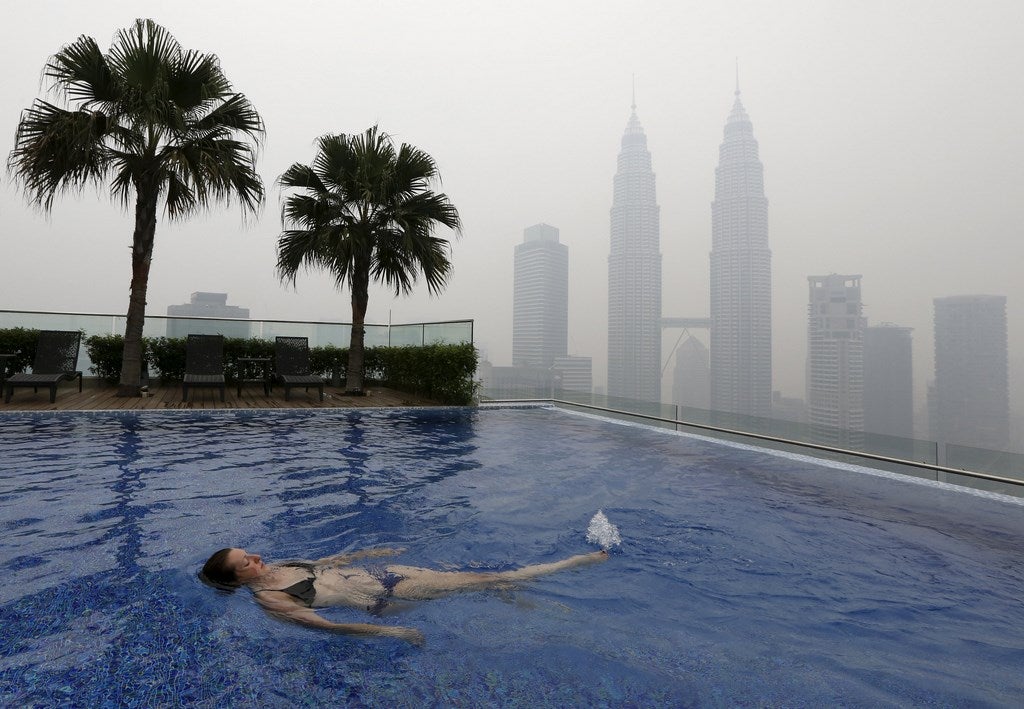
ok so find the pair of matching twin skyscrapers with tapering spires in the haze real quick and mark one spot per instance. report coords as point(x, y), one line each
point(741, 275)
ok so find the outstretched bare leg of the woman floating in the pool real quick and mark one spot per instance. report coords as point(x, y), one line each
point(419, 585)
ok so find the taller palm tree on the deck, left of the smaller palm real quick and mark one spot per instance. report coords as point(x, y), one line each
point(160, 123)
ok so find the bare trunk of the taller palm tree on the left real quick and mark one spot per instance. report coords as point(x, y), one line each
point(142, 259)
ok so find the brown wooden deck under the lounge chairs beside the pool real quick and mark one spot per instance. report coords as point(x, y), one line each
point(99, 396)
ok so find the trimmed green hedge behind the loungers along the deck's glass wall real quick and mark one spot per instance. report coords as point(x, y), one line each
point(442, 372)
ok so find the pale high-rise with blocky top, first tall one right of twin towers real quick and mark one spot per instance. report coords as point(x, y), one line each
point(836, 361)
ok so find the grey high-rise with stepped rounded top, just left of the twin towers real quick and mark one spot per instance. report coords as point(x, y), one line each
point(541, 299)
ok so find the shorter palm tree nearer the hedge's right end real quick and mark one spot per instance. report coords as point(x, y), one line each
point(366, 212)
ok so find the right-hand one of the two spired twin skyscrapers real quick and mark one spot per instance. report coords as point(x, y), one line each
point(741, 275)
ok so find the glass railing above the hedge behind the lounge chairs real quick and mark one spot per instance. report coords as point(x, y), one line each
point(319, 333)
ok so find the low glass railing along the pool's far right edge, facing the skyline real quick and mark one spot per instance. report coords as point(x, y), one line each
point(909, 456)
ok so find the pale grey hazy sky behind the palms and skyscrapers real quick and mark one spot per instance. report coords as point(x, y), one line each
point(890, 133)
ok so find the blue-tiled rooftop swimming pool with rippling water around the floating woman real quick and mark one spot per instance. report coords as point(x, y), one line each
point(746, 577)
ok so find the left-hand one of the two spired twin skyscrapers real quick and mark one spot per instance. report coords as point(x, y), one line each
point(635, 274)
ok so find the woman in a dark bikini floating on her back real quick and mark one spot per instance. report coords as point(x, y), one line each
point(290, 591)
